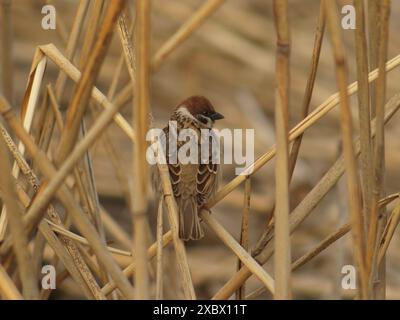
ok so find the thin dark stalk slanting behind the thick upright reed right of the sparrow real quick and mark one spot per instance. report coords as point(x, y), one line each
point(294, 152)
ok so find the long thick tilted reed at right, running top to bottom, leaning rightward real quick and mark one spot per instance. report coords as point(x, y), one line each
point(354, 204)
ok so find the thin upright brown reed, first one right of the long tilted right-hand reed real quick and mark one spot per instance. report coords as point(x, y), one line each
point(366, 165)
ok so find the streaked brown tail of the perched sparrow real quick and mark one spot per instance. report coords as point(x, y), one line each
point(189, 221)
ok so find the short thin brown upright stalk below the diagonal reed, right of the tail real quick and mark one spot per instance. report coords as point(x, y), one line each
point(244, 232)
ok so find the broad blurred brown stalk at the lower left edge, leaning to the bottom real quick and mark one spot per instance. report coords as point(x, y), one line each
point(18, 233)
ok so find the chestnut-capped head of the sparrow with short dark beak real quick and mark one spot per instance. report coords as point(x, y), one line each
point(200, 109)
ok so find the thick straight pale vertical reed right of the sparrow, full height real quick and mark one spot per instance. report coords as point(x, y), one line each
point(281, 214)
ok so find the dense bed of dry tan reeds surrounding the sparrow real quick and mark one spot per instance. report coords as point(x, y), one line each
point(56, 196)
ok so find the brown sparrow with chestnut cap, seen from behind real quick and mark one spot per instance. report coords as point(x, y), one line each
point(193, 184)
